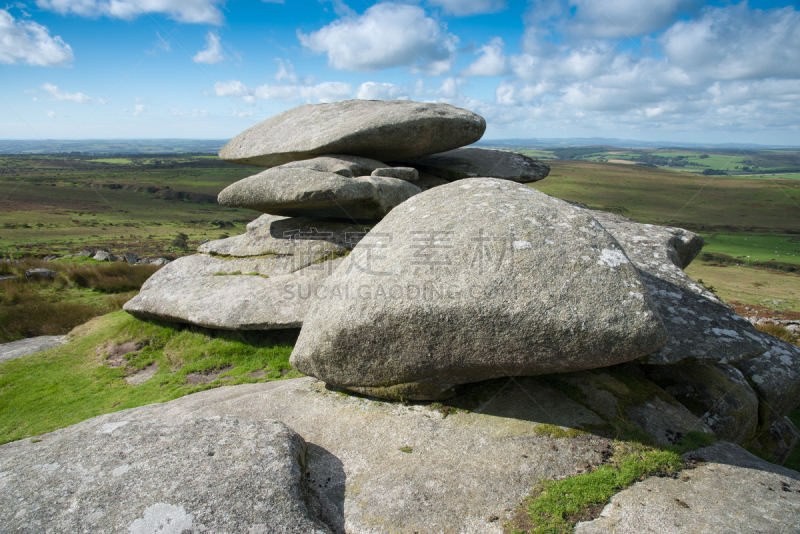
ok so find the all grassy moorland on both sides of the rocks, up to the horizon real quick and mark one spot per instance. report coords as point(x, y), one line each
point(60, 204)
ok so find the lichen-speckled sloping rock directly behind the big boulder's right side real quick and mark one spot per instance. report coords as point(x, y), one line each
point(701, 328)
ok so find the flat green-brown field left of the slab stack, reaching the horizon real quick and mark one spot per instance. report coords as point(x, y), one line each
point(60, 204)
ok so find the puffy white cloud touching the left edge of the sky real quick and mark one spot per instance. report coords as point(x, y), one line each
point(31, 43)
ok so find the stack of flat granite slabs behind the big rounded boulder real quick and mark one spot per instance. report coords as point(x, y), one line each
point(333, 171)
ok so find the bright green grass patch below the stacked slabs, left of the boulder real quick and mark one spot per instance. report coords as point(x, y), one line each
point(63, 386)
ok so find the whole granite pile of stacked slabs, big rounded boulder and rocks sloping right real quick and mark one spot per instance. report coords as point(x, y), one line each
point(416, 267)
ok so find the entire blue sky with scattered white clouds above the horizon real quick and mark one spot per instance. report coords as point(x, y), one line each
point(668, 70)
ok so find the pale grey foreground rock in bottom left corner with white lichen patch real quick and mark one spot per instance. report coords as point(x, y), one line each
point(142, 471)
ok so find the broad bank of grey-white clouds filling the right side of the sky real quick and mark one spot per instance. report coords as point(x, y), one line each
point(727, 68)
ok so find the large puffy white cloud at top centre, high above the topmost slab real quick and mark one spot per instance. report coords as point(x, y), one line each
point(386, 35)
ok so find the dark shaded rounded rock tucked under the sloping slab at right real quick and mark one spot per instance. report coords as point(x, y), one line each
point(718, 394)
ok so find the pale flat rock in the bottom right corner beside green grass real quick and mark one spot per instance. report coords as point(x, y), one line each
point(733, 491)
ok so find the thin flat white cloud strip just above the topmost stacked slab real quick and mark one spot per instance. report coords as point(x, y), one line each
point(322, 92)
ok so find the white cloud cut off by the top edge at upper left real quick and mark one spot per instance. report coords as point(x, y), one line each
point(185, 11)
